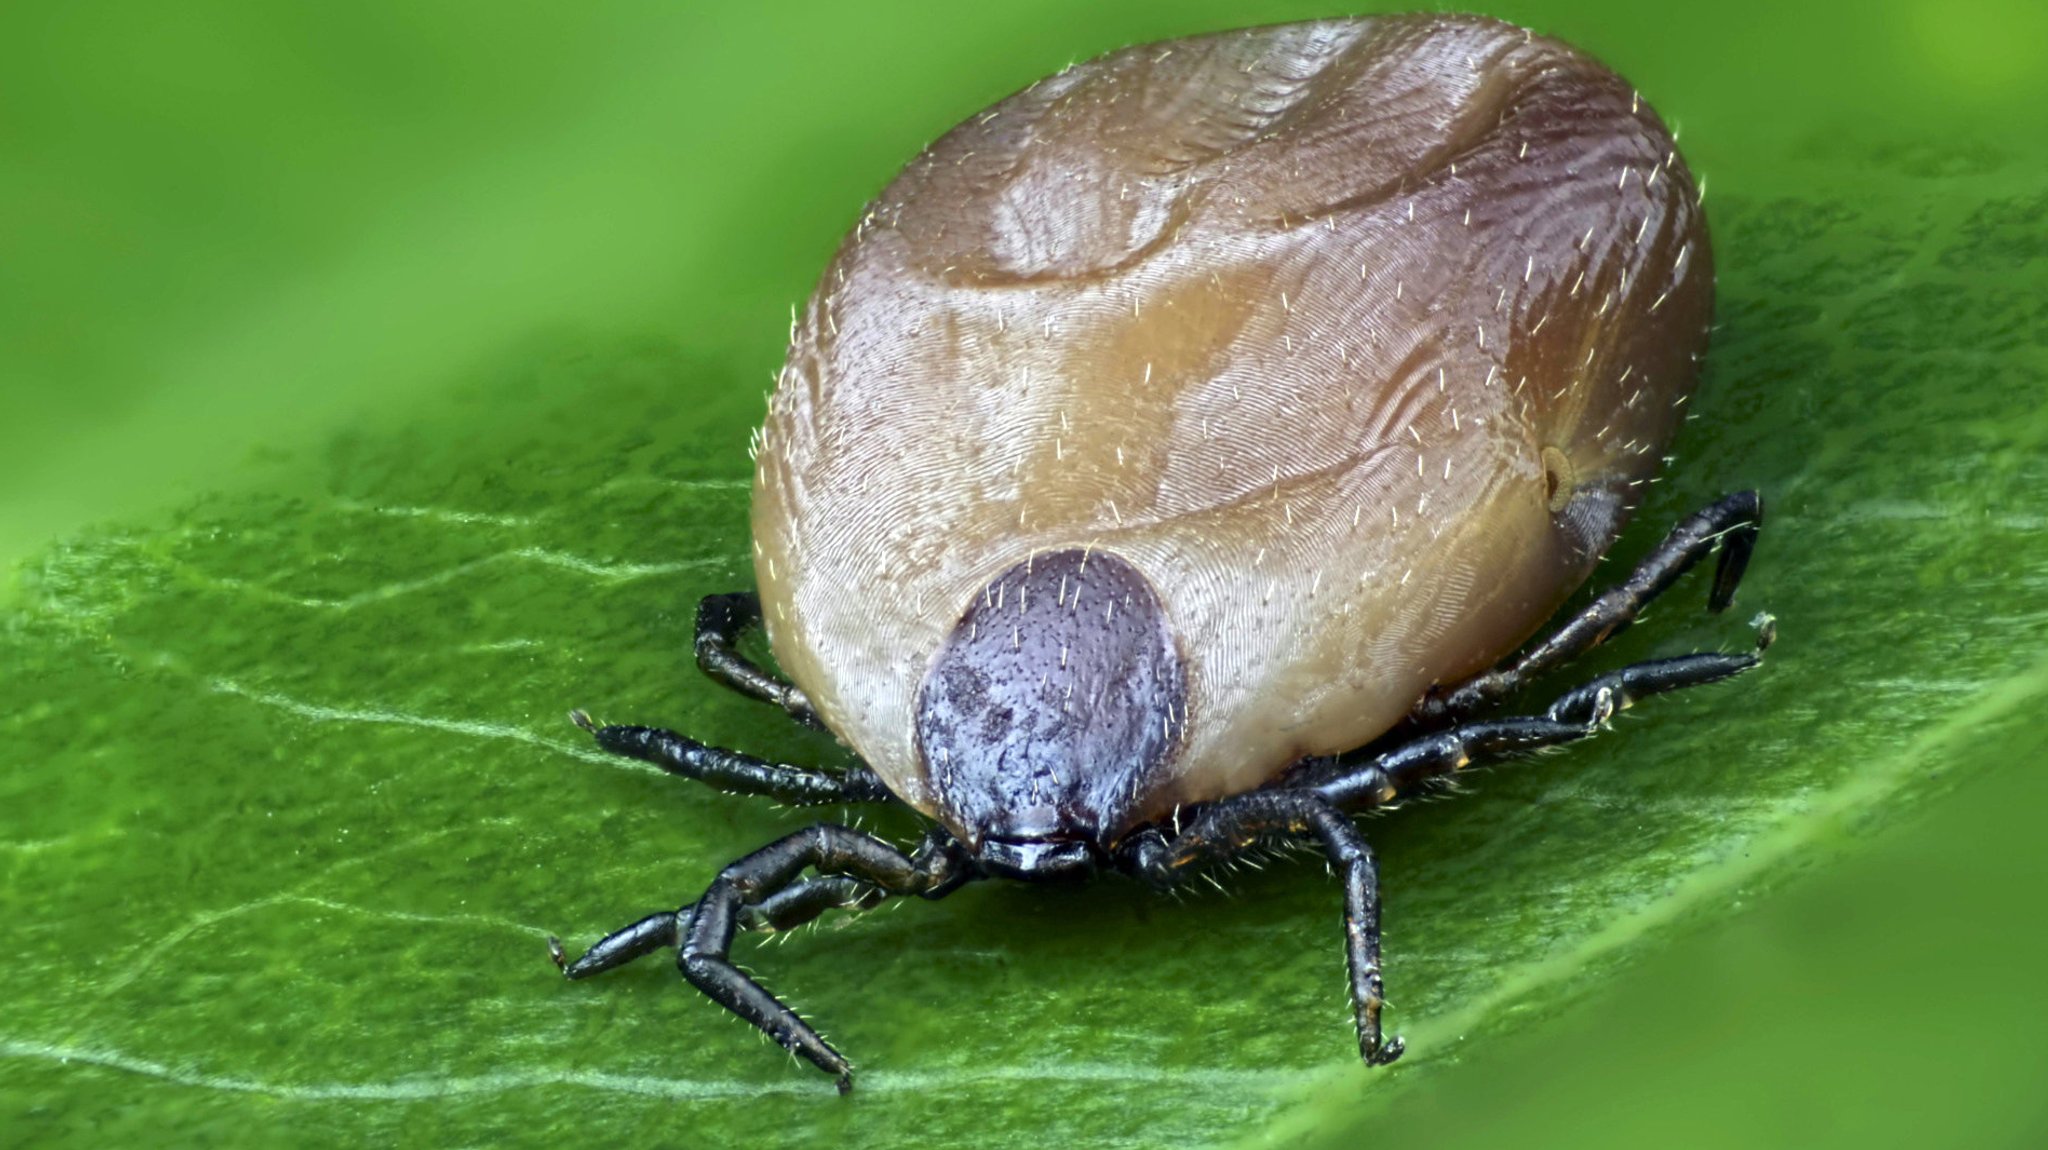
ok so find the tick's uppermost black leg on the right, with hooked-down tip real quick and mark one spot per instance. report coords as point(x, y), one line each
point(1730, 523)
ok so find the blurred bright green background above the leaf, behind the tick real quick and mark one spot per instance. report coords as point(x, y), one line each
point(228, 226)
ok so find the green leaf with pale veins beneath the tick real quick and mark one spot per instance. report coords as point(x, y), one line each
point(292, 801)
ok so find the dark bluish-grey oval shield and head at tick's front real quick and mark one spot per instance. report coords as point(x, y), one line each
point(1054, 713)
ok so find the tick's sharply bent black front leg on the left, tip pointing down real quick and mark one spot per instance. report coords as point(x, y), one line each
point(755, 881)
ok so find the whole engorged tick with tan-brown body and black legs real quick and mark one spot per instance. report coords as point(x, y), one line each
point(1181, 427)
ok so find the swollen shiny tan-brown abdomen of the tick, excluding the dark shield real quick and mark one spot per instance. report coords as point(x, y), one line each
point(1351, 339)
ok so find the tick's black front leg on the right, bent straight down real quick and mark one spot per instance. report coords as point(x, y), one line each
point(1244, 822)
